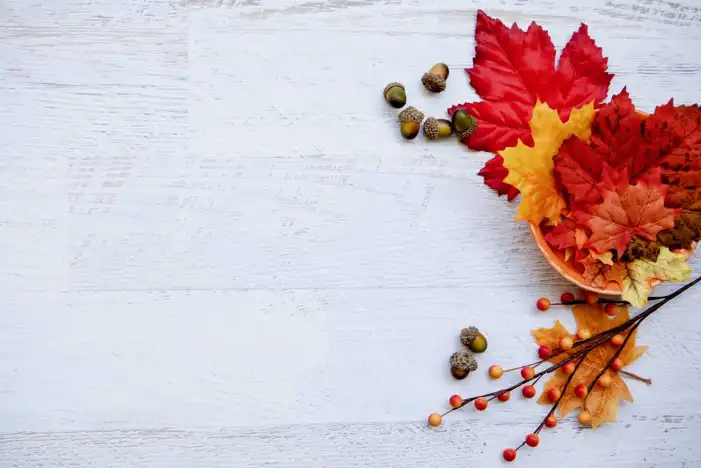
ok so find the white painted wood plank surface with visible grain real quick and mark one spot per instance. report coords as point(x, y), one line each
point(216, 251)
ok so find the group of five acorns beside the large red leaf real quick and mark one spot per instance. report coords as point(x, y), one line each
point(410, 119)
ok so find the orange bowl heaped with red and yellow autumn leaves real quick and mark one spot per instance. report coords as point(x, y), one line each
point(615, 193)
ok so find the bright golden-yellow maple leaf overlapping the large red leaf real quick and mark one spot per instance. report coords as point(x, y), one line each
point(531, 168)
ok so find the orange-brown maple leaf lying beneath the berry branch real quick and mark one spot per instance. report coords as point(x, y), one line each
point(601, 402)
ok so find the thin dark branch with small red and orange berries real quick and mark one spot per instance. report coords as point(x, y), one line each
point(573, 354)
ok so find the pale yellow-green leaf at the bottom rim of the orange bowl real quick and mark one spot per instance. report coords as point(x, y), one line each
point(669, 266)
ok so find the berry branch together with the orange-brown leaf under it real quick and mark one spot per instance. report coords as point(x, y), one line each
point(585, 369)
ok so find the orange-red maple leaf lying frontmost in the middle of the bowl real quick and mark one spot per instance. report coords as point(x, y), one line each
point(626, 210)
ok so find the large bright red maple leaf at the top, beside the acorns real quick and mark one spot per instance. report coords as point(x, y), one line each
point(513, 69)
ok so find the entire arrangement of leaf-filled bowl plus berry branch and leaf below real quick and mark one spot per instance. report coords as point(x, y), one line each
point(614, 193)
